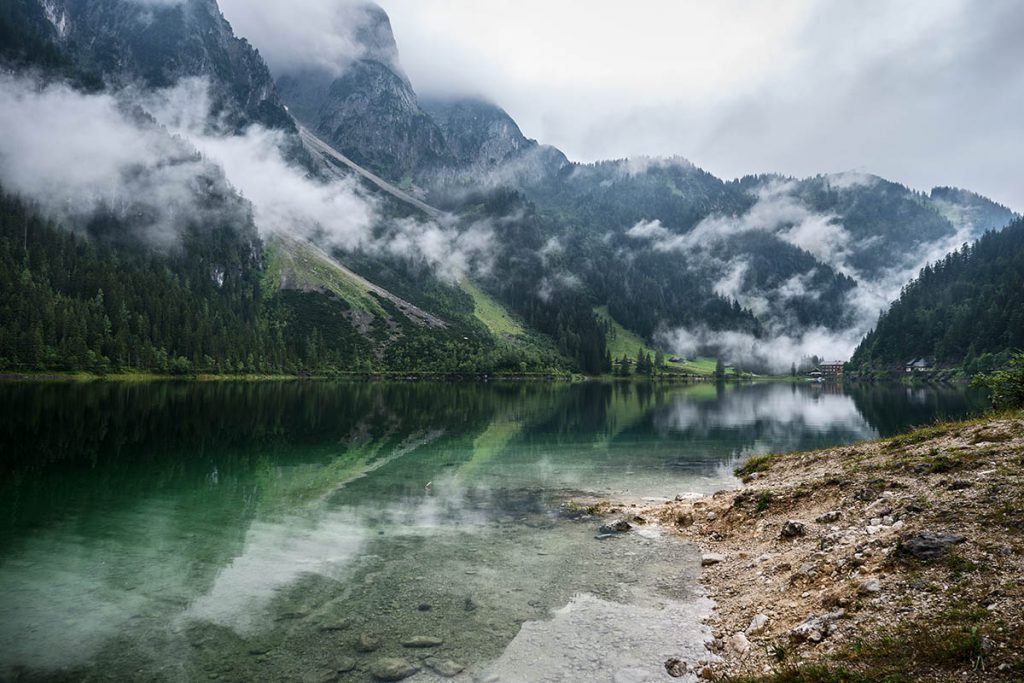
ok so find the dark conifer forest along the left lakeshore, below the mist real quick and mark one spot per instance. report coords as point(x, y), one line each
point(97, 302)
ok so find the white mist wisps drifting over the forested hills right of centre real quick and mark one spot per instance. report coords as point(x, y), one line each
point(779, 212)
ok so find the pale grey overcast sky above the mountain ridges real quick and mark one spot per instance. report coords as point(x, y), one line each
point(925, 93)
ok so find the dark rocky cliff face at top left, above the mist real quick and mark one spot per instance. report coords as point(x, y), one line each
point(156, 46)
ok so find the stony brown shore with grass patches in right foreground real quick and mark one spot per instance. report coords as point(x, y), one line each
point(900, 560)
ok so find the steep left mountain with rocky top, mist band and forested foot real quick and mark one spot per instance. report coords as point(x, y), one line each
point(153, 262)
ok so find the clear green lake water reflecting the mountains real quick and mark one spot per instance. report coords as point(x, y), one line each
point(255, 532)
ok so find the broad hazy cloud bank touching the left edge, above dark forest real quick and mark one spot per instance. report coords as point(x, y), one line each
point(76, 155)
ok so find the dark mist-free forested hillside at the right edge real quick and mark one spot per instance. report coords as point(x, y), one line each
point(965, 311)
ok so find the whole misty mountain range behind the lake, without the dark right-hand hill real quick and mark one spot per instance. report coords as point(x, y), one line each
point(407, 234)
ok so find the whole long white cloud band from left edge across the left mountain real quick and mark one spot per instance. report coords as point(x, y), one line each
point(76, 154)
